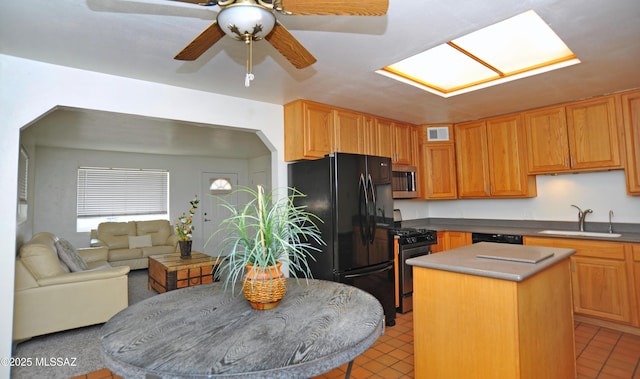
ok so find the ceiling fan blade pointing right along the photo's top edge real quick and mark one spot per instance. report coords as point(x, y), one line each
point(336, 7)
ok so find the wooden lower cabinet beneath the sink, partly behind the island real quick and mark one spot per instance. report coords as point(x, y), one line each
point(601, 278)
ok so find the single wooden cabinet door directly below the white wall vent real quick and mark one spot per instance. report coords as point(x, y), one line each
point(438, 171)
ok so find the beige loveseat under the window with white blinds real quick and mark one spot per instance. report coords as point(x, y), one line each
point(131, 243)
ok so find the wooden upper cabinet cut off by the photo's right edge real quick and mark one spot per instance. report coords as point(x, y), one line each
point(631, 116)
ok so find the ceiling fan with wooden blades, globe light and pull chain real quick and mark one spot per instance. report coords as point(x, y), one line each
point(253, 20)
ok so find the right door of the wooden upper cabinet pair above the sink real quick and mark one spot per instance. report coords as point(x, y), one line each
point(593, 134)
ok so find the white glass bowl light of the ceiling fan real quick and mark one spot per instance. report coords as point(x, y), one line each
point(244, 20)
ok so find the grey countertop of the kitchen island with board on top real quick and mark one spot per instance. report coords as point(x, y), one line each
point(494, 260)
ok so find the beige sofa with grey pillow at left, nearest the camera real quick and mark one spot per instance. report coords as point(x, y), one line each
point(49, 297)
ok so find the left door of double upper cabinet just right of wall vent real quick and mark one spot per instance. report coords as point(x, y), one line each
point(471, 160)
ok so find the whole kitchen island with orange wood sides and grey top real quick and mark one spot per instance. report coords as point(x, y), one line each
point(491, 310)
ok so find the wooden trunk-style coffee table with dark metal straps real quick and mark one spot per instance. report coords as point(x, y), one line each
point(169, 272)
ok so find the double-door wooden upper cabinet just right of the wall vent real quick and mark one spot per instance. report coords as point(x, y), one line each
point(490, 159)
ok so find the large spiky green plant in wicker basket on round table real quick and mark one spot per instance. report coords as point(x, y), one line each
point(261, 236)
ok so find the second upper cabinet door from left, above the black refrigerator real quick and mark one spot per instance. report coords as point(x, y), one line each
point(349, 132)
